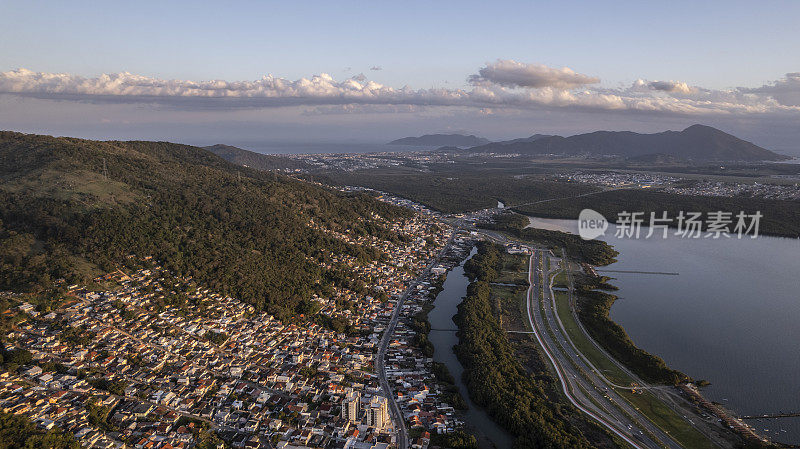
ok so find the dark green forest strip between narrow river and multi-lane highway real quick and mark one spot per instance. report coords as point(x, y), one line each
point(495, 378)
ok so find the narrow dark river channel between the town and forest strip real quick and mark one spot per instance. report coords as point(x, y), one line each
point(441, 317)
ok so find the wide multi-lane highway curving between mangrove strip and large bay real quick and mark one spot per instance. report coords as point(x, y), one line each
point(582, 387)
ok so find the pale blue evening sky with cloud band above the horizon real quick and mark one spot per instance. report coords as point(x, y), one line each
point(203, 72)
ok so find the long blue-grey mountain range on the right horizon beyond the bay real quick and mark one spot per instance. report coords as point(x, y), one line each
point(697, 142)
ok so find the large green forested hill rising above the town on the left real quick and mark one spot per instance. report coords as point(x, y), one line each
point(72, 208)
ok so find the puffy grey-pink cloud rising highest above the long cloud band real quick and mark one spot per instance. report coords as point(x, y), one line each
point(510, 73)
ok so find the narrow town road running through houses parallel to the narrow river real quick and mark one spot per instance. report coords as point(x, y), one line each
point(380, 358)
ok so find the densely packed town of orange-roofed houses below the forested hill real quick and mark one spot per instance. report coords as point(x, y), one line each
point(147, 359)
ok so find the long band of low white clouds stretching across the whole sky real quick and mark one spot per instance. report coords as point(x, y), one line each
point(503, 86)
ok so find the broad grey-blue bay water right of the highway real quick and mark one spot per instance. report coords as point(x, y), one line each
point(731, 316)
